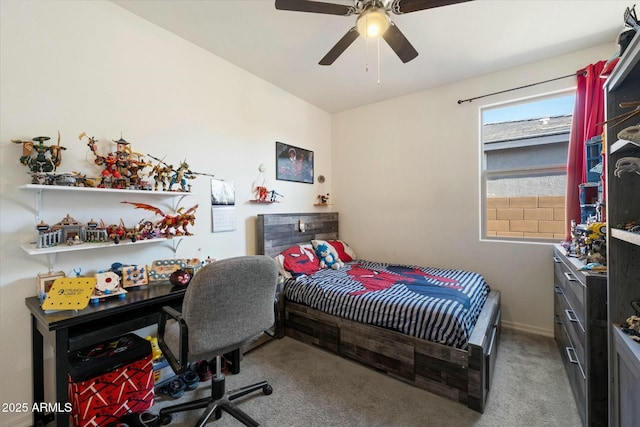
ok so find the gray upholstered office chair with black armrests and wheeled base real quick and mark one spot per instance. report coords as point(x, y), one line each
point(227, 304)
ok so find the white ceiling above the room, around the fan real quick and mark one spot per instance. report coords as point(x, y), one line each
point(454, 42)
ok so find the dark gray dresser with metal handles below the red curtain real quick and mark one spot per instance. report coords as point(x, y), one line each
point(580, 328)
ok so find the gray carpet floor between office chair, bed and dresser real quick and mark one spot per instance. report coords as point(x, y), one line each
point(316, 388)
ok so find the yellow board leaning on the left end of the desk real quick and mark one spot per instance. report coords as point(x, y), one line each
point(70, 293)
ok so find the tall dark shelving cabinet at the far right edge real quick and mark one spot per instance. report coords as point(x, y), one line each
point(623, 247)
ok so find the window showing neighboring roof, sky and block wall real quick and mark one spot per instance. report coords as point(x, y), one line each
point(524, 157)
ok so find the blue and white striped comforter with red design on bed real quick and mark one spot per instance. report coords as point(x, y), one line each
point(438, 305)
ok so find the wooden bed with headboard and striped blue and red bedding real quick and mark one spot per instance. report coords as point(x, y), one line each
point(444, 340)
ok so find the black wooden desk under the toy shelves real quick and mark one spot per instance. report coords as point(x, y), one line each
point(69, 330)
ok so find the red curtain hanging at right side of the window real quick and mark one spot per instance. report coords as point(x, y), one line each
point(587, 112)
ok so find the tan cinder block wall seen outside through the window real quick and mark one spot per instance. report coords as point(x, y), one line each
point(541, 217)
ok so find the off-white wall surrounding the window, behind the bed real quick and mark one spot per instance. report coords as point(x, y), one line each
point(407, 179)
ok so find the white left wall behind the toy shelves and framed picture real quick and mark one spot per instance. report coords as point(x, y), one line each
point(92, 66)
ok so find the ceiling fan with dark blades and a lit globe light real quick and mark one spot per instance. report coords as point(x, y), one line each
point(372, 21)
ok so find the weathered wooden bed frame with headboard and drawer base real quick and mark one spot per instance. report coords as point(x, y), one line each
point(461, 375)
